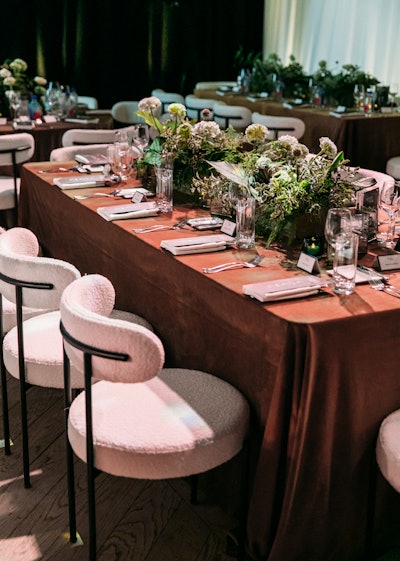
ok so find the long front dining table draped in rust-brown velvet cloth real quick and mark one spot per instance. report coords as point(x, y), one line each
point(320, 373)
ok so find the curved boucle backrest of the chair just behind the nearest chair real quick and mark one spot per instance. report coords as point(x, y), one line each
point(19, 261)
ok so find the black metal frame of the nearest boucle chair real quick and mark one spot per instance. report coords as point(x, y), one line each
point(89, 352)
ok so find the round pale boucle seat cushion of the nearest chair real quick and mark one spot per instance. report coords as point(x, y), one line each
point(177, 424)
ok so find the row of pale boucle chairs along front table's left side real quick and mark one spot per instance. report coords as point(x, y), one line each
point(126, 415)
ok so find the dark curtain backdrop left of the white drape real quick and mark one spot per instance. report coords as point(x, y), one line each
point(121, 49)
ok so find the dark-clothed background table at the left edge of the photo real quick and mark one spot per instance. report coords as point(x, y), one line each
point(48, 136)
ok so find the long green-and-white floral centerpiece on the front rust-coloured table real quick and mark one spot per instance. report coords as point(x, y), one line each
point(288, 183)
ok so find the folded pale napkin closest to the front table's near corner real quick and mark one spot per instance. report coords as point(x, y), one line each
point(283, 289)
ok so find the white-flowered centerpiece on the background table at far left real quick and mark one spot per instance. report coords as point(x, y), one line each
point(14, 78)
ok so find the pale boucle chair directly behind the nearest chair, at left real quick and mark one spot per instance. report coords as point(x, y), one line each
point(33, 350)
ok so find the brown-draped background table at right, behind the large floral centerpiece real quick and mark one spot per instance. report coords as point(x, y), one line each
point(366, 141)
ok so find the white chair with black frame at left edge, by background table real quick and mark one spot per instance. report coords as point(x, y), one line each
point(15, 149)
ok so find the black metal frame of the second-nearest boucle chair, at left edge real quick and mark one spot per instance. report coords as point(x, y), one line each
point(23, 385)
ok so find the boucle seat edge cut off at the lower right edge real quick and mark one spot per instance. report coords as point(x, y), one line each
point(388, 449)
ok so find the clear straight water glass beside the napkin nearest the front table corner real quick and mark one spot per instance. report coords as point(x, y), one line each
point(345, 263)
